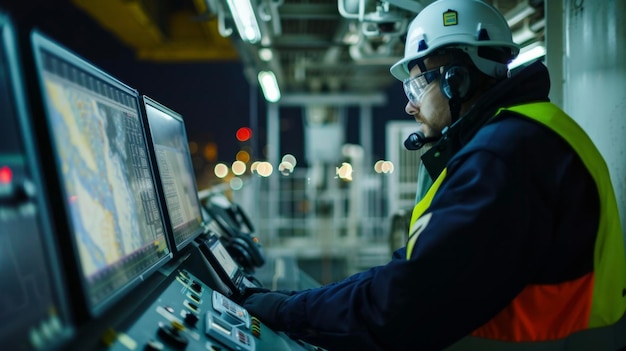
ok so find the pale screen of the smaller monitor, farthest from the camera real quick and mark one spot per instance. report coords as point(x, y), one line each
point(171, 149)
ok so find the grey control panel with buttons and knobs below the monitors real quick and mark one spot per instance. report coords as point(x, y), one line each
point(189, 315)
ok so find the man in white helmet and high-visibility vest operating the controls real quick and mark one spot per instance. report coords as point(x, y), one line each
point(518, 241)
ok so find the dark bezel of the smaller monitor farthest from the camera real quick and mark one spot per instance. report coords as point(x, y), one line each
point(148, 101)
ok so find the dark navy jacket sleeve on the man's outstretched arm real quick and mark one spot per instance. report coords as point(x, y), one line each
point(468, 263)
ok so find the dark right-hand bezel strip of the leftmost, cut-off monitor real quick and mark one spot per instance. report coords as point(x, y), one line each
point(10, 37)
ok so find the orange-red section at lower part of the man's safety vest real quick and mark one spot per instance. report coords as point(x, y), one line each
point(543, 312)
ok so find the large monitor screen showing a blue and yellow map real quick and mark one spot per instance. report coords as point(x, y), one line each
point(105, 175)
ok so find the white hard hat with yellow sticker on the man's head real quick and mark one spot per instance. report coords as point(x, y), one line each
point(469, 25)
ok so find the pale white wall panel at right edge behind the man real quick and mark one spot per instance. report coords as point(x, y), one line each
point(594, 72)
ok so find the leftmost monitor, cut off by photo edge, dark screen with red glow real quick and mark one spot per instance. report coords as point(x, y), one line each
point(34, 311)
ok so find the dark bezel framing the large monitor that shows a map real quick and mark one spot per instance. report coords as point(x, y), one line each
point(87, 309)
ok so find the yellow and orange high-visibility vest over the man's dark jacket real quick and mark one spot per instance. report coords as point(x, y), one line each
point(602, 292)
